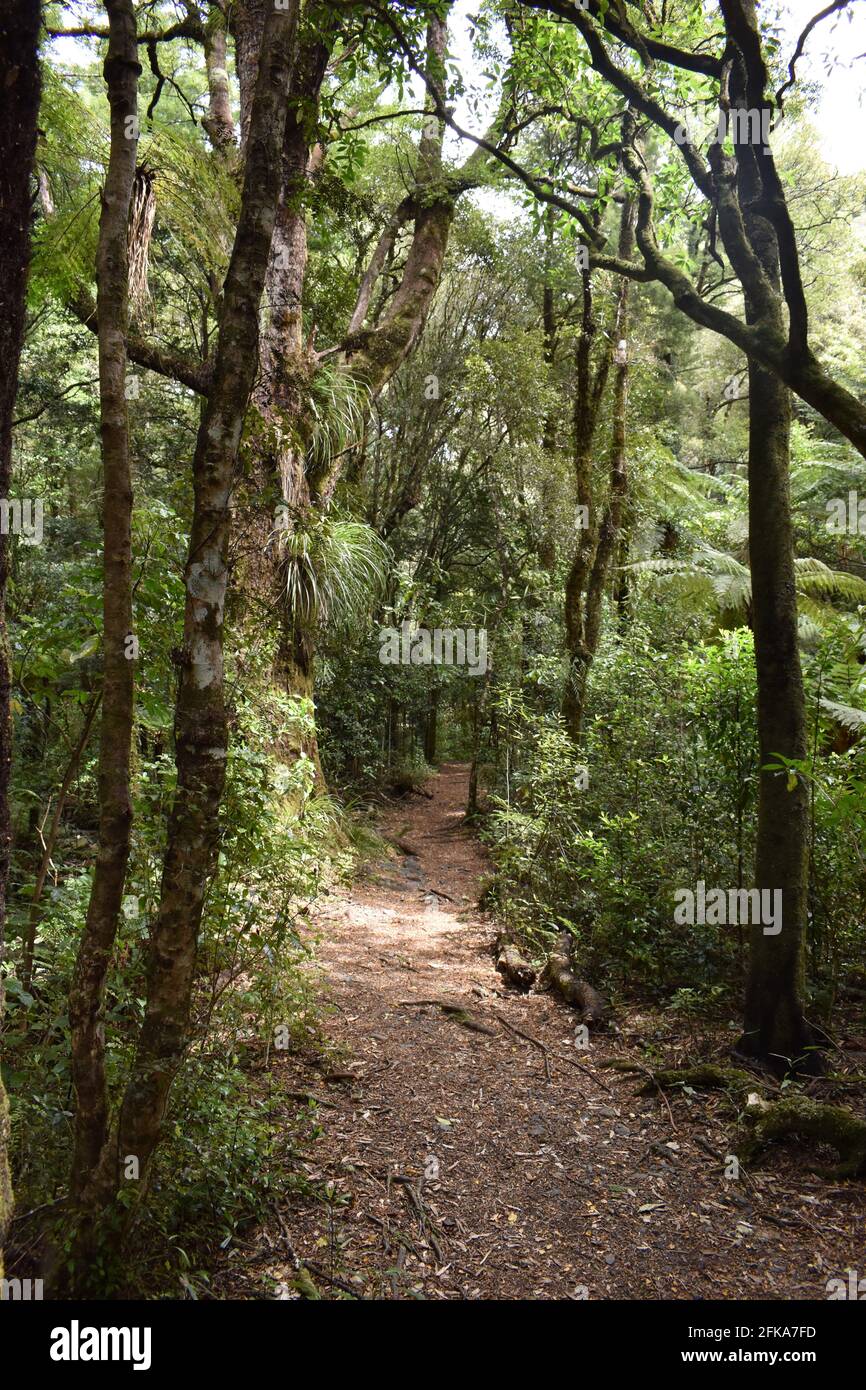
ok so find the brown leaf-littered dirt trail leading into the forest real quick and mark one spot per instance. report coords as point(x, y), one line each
point(464, 1168)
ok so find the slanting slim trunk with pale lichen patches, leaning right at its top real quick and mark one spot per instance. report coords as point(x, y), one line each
point(201, 717)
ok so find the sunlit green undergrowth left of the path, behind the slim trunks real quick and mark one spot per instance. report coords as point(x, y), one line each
point(230, 1132)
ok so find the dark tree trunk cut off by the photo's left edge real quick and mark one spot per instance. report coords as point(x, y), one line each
point(19, 122)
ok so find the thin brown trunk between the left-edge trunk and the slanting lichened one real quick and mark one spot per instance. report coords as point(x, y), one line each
point(87, 995)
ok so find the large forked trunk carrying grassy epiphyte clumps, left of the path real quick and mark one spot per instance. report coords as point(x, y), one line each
point(370, 354)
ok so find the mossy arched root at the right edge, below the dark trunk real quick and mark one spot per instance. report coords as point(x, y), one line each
point(810, 1120)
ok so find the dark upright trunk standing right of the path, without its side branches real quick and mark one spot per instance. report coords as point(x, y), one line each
point(775, 1029)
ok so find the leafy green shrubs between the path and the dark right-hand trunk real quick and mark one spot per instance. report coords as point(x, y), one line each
point(667, 799)
